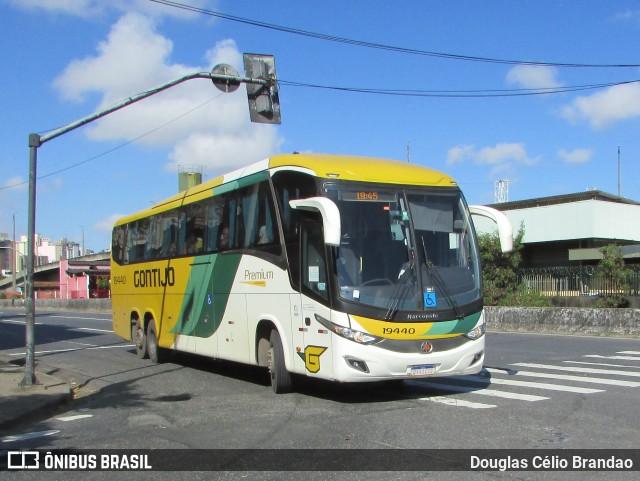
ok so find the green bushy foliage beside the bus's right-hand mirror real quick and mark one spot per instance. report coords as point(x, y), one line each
point(500, 273)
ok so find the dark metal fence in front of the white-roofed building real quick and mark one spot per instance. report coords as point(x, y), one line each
point(576, 281)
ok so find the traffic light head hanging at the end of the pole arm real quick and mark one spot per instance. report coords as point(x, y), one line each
point(264, 105)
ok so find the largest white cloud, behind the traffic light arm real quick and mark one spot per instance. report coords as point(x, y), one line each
point(203, 125)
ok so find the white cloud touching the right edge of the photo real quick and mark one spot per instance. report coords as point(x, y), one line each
point(604, 108)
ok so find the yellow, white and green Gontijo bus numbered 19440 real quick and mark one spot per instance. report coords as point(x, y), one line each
point(342, 268)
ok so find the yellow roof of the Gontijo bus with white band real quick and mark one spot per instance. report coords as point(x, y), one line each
point(330, 166)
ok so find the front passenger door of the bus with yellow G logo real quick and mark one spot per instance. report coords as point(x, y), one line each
point(315, 341)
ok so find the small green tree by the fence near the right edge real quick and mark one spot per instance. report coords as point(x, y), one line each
point(613, 269)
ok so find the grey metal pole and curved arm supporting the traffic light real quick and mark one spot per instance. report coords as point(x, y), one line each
point(36, 140)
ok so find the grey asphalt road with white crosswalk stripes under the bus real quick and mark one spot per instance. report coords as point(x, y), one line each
point(536, 392)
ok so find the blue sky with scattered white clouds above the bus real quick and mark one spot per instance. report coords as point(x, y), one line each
point(544, 94)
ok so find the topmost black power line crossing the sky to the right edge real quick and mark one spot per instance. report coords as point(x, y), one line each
point(380, 46)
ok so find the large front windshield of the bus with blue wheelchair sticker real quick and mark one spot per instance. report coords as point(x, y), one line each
point(405, 249)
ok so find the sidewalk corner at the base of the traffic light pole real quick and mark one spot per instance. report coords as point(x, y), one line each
point(19, 404)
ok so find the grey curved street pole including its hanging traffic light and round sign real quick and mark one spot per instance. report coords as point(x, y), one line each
point(264, 106)
